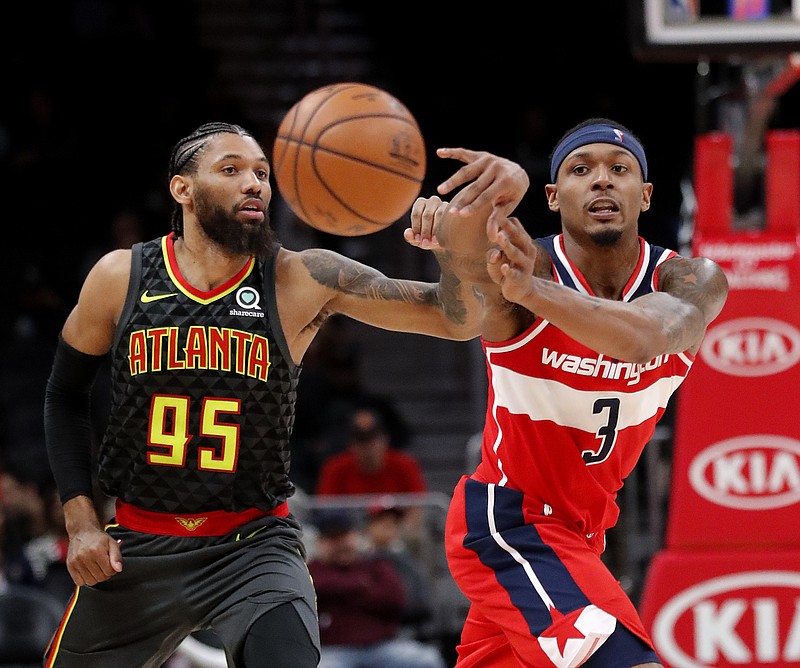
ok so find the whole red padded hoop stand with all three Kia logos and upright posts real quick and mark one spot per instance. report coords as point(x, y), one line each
point(725, 591)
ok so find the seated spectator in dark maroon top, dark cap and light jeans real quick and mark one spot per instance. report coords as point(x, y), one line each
point(360, 600)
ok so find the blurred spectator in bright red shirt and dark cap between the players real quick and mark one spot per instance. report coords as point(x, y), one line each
point(370, 465)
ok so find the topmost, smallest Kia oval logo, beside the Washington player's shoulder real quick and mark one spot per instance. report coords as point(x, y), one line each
point(751, 347)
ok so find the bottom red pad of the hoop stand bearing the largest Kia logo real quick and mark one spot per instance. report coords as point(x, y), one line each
point(724, 609)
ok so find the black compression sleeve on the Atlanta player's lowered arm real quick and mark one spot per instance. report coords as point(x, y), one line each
point(67, 419)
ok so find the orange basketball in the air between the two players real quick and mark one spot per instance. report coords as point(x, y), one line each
point(349, 159)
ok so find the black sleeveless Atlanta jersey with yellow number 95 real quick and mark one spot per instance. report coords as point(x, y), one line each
point(203, 391)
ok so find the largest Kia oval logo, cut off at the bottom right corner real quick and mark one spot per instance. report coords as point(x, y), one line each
point(720, 623)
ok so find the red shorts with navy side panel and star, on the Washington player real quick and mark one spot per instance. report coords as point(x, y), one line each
point(540, 594)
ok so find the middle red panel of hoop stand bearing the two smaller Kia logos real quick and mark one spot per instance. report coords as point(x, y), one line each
point(736, 463)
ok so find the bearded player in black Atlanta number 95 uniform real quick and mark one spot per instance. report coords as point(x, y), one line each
point(206, 328)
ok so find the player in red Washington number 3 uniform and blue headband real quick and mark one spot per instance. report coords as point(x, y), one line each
point(586, 334)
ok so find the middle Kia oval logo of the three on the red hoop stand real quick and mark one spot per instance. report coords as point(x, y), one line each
point(752, 472)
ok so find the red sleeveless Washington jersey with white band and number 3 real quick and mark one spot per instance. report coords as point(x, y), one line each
point(565, 425)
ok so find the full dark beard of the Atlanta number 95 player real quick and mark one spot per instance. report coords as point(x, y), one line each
point(223, 228)
